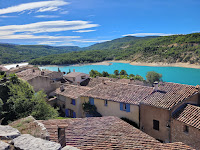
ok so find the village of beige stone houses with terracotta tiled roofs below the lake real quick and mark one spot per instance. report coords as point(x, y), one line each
point(112, 113)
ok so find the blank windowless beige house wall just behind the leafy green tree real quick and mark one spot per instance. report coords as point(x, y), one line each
point(44, 83)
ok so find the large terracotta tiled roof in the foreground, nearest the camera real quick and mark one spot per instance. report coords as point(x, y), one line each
point(104, 133)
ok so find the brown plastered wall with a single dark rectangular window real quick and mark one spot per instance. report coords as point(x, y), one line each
point(150, 113)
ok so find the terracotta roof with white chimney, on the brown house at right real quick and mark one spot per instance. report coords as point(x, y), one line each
point(169, 95)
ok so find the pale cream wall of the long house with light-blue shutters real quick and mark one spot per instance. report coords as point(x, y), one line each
point(113, 109)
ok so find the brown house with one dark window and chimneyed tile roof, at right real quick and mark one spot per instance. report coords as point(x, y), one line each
point(157, 108)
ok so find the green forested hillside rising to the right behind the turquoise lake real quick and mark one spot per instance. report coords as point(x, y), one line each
point(167, 49)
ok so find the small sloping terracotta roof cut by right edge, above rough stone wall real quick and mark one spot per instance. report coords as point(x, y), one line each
point(189, 115)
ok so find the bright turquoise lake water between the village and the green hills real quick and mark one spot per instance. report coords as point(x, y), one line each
point(181, 75)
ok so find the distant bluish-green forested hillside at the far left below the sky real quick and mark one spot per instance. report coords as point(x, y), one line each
point(10, 53)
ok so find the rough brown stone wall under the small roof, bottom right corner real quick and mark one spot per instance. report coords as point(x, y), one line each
point(192, 138)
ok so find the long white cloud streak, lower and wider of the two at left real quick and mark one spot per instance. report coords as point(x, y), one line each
point(48, 26)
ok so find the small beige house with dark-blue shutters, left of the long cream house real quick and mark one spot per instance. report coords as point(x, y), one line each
point(68, 98)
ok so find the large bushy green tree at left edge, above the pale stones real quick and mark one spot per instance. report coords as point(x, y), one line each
point(20, 100)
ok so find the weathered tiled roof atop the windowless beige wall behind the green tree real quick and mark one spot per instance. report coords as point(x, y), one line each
point(29, 74)
